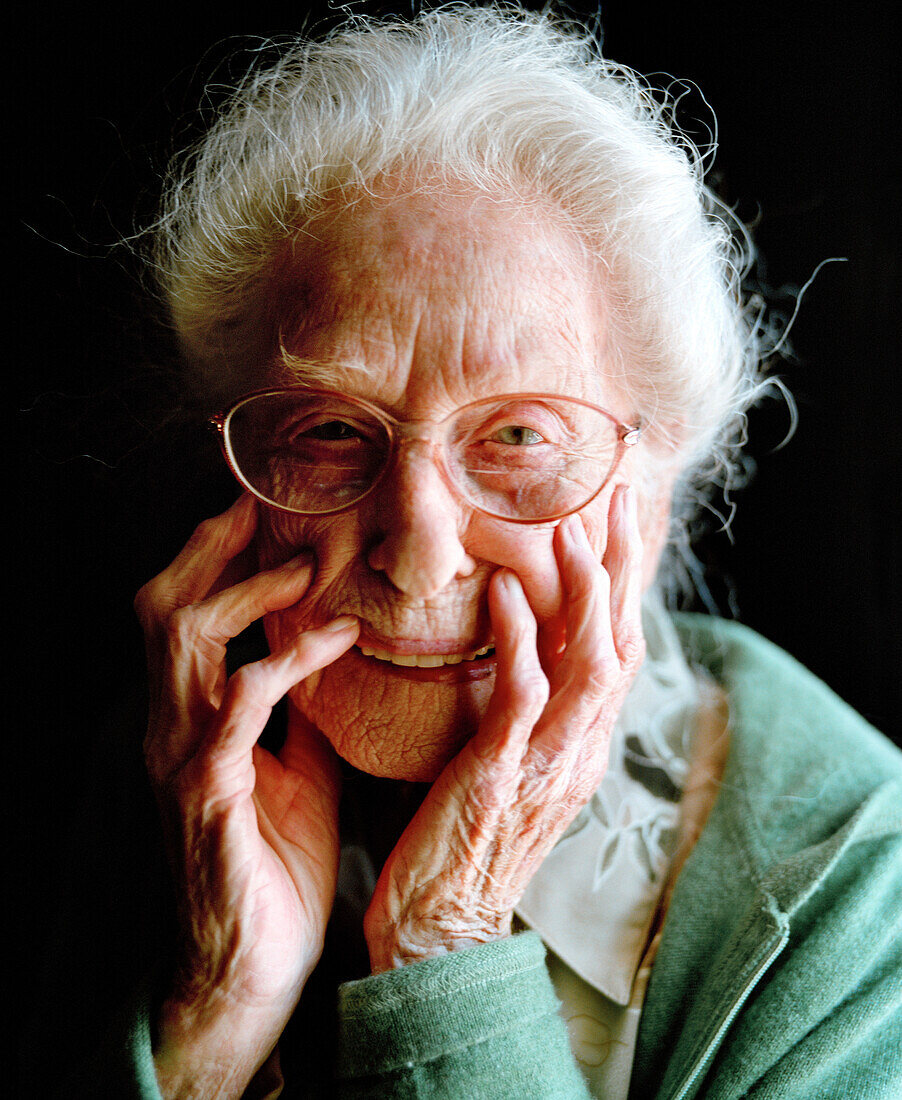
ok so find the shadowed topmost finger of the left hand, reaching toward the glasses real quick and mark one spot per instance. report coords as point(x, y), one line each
point(191, 577)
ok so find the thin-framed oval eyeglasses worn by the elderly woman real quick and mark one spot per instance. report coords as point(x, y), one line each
point(523, 458)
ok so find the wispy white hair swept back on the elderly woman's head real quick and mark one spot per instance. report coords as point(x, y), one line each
point(512, 104)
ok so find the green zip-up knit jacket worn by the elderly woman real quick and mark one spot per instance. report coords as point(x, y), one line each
point(780, 970)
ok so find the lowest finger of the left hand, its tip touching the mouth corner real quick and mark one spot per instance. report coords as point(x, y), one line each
point(255, 690)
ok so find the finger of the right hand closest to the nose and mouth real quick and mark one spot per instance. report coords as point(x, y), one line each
point(522, 689)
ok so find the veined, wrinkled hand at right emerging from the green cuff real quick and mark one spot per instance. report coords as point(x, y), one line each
point(541, 752)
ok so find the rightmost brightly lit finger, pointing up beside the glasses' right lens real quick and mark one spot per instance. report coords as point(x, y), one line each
point(624, 564)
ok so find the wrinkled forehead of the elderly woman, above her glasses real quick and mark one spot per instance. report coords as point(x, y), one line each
point(390, 292)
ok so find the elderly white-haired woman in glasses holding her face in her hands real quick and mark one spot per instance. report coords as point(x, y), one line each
point(474, 327)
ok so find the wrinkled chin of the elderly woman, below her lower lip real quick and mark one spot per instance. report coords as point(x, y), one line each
point(390, 727)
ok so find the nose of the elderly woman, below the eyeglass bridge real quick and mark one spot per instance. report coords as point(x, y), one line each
point(420, 521)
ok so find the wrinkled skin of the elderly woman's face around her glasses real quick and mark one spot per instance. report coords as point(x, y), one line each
point(422, 306)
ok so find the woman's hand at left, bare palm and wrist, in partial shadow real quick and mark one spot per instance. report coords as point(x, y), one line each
point(254, 839)
